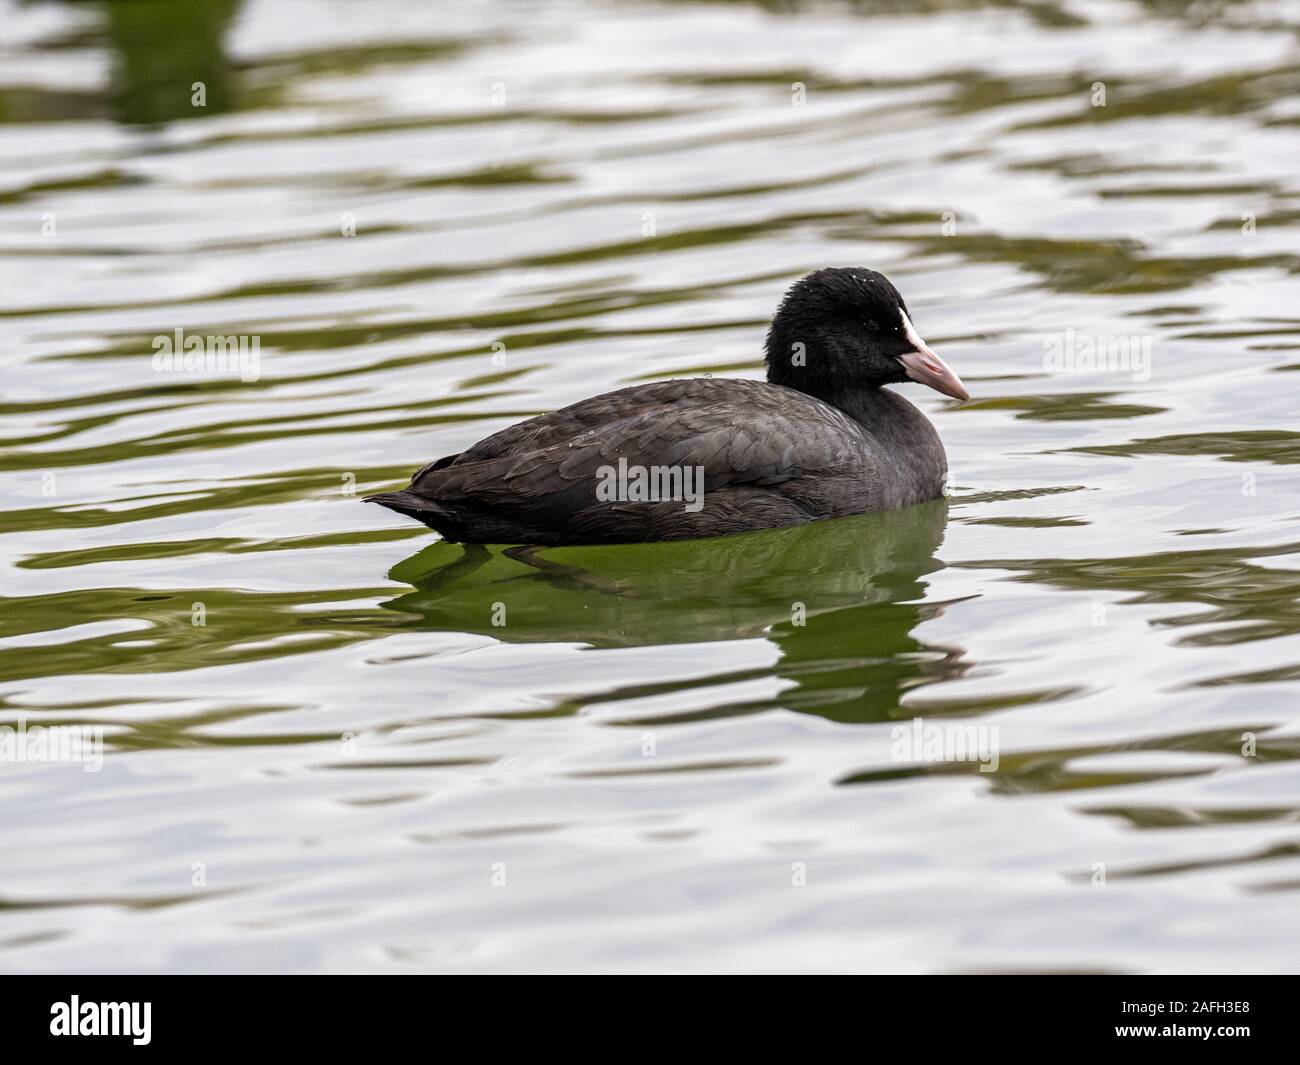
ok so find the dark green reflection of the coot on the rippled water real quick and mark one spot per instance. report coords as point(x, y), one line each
point(840, 600)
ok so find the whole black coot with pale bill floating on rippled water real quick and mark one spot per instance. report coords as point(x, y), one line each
point(710, 457)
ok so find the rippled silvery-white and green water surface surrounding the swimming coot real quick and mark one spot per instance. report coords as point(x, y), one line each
point(322, 752)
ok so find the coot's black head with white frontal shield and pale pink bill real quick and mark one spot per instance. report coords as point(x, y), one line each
point(847, 328)
